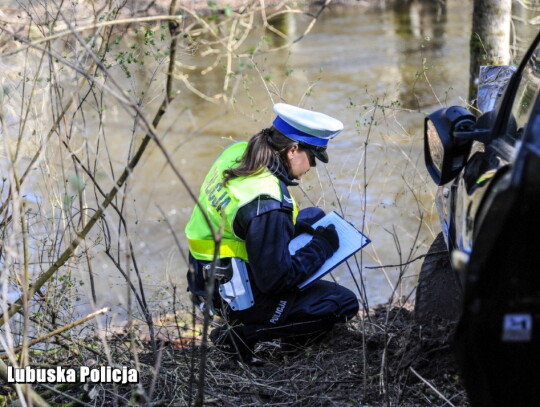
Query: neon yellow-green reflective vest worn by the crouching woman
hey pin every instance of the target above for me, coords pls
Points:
(222, 203)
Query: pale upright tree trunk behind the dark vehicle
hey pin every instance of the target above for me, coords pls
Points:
(490, 37)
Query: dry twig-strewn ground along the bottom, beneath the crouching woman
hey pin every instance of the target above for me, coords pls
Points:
(384, 359)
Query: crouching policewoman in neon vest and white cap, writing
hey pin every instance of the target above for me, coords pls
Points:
(246, 193)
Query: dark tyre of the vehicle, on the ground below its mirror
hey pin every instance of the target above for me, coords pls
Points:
(439, 292)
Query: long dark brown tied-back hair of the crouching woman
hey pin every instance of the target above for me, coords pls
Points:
(259, 152)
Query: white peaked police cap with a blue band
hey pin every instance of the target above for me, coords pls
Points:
(305, 126)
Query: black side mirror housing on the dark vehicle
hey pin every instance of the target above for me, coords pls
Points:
(445, 149)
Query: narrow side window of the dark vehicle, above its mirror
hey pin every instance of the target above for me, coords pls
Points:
(524, 99)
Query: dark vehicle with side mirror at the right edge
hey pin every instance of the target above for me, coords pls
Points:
(488, 172)
